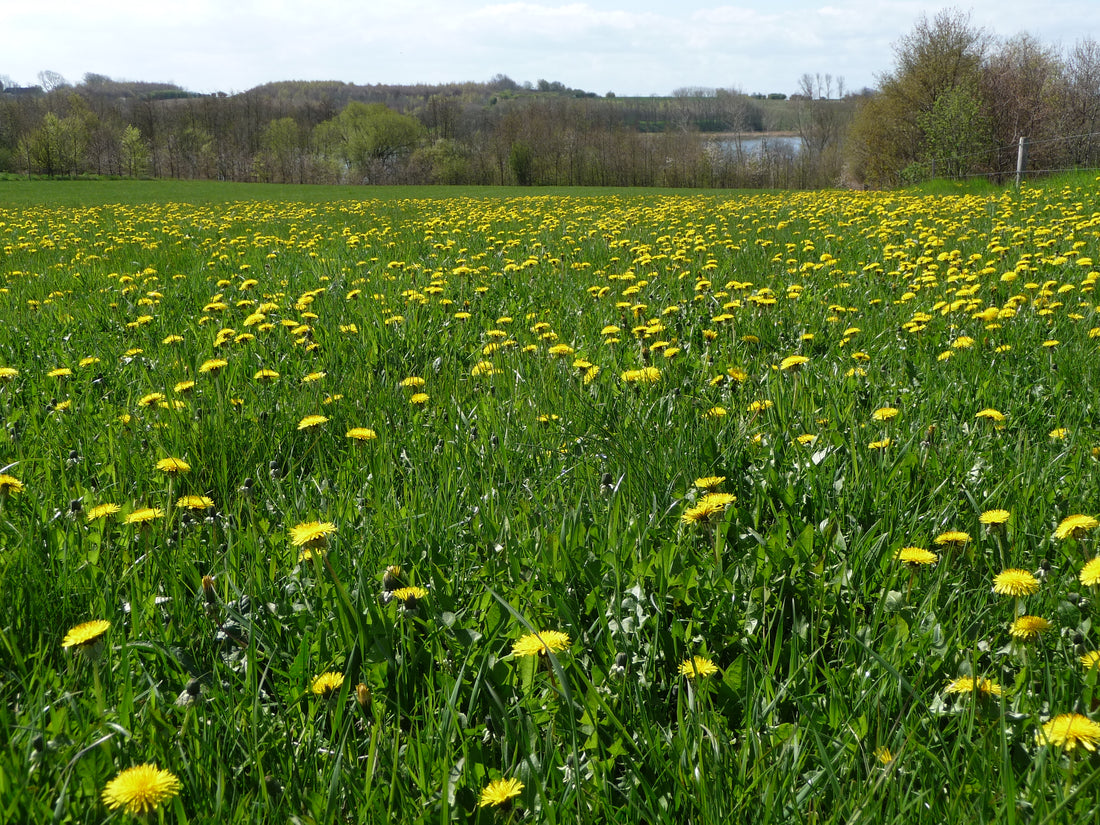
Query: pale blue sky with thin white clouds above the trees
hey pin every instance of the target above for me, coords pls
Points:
(626, 47)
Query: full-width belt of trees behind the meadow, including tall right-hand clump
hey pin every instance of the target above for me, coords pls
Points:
(956, 104)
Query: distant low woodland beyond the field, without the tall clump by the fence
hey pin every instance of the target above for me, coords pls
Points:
(499, 133)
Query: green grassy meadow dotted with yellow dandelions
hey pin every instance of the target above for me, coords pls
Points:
(619, 507)
